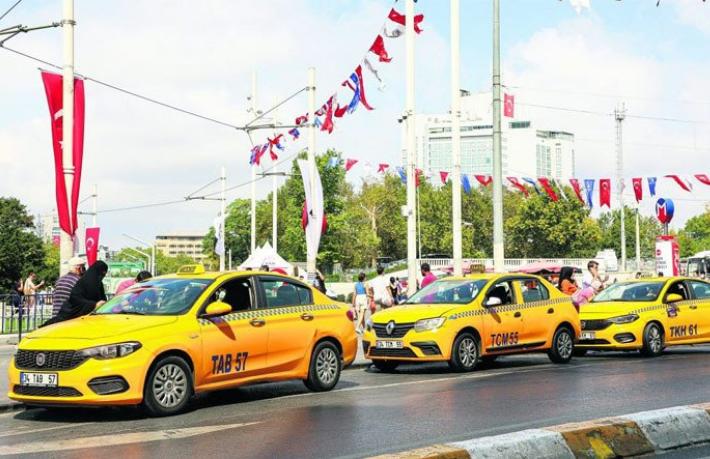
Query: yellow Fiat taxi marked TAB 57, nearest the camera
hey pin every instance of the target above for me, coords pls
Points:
(165, 339)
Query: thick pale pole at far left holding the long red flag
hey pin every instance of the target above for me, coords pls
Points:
(66, 242)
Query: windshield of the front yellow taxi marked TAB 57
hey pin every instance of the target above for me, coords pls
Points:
(157, 297)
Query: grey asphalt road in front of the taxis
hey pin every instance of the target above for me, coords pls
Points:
(372, 413)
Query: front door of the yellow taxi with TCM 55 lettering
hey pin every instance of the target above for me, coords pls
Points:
(502, 324)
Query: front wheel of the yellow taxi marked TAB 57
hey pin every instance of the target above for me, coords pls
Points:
(168, 387)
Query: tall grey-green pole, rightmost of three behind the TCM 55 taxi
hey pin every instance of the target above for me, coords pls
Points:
(498, 241)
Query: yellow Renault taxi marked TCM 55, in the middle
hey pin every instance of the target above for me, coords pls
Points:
(463, 320)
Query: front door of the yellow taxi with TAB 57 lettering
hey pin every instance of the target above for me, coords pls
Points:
(234, 345)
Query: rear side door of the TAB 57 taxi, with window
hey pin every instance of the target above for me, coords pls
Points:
(292, 321)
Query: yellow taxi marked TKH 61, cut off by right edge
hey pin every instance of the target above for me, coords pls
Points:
(647, 315)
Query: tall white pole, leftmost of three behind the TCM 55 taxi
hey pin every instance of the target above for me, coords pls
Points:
(411, 152)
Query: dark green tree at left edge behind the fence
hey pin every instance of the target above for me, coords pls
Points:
(20, 249)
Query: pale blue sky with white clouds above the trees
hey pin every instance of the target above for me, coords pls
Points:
(200, 56)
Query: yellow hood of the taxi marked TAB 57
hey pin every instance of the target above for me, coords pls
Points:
(98, 326)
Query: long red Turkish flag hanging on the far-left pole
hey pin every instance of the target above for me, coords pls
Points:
(66, 209)
